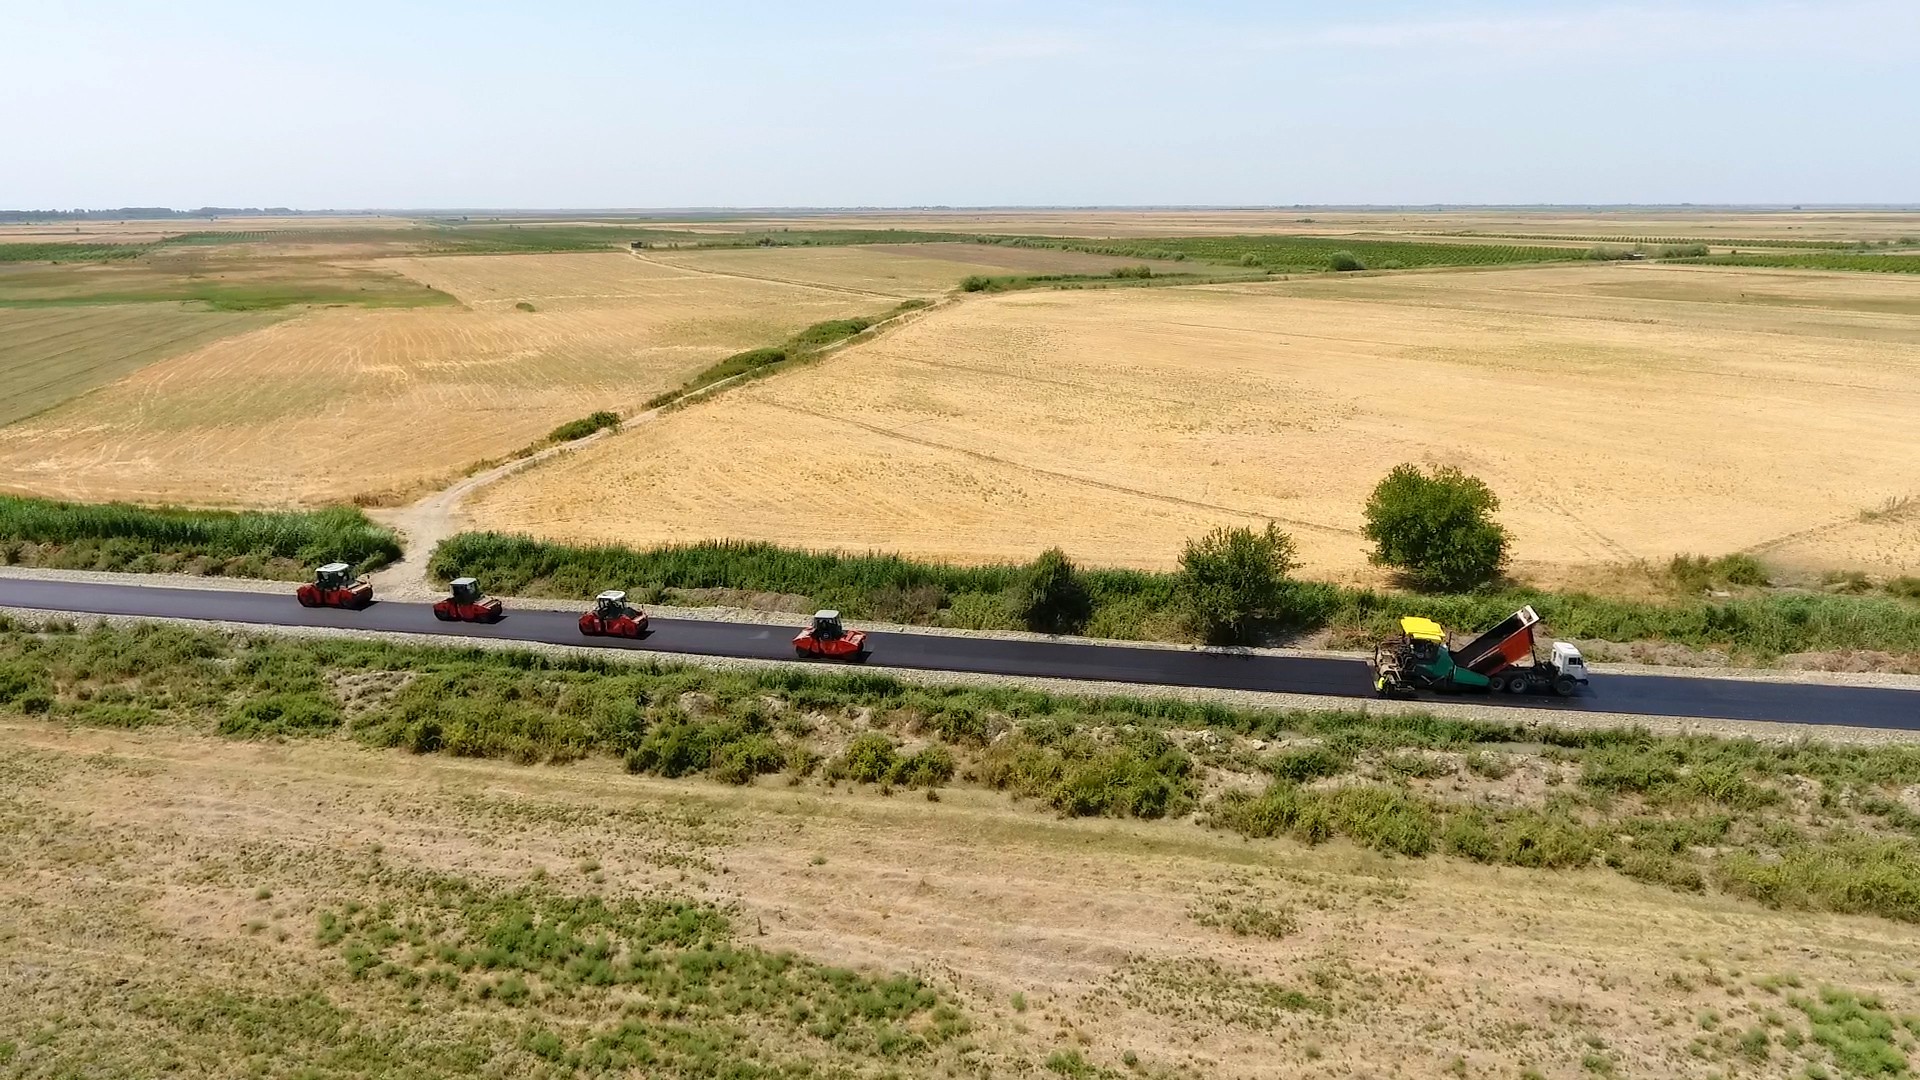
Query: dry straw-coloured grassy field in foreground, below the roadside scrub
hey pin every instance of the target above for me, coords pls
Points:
(197, 906)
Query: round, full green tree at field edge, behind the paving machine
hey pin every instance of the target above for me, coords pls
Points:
(1437, 528)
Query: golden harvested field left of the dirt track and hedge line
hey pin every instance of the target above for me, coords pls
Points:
(345, 403)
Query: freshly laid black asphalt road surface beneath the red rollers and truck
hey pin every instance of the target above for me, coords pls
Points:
(1643, 695)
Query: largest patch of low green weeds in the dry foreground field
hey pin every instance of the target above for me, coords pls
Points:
(677, 960)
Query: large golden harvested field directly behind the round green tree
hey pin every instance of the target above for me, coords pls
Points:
(1623, 412)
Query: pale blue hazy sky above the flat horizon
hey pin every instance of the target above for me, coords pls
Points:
(982, 103)
